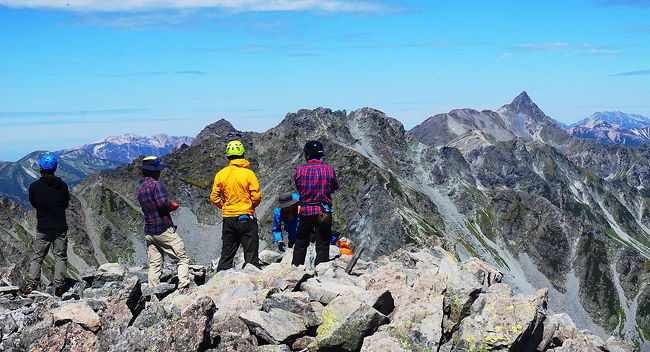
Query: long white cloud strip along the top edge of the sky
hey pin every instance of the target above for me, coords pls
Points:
(359, 6)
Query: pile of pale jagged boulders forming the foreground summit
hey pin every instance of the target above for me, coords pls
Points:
(412, 300)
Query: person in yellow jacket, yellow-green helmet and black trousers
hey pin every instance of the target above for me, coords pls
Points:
(237, 192)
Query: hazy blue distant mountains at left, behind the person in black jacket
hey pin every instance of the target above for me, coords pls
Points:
(79, 162)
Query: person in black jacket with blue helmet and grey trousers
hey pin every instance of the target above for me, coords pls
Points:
(50, 197)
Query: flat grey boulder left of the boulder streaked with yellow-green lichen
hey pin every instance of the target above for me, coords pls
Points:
(275, 326)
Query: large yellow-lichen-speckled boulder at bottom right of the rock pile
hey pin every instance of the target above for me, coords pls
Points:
(498, 320)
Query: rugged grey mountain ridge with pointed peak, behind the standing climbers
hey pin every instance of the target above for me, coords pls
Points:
(547, 209)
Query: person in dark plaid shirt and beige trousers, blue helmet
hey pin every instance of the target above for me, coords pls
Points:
(159, 231)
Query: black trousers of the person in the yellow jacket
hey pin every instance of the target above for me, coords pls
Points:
(235, 232)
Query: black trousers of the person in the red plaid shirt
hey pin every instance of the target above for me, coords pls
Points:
(323, 233)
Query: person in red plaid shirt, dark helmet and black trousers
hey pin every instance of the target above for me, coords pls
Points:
(315, 182)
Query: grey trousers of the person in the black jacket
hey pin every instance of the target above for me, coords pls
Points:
(40, 247)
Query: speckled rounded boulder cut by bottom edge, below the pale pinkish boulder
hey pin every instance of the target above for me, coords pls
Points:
(69, 337)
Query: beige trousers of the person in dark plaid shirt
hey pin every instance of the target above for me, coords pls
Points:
(167, 242)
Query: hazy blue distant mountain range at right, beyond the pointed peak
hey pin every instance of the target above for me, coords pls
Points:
(612, 127)
